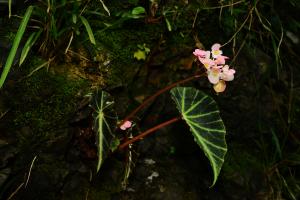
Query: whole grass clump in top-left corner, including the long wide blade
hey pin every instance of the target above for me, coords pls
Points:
(57, 23)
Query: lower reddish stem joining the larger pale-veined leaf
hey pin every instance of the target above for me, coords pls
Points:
(147, 132)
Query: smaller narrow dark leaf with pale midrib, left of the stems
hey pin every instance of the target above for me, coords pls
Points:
(104, 124)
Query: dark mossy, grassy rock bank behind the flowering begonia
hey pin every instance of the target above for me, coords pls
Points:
(47, 144)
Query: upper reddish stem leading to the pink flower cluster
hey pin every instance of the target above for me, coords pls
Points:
(161, 91)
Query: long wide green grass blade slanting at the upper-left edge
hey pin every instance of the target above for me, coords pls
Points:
(15, 45)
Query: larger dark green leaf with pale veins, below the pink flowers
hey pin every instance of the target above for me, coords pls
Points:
(202, 115)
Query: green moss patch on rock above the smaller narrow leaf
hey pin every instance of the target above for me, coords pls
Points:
(122, 43)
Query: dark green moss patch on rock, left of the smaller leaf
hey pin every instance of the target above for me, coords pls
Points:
(44, 103)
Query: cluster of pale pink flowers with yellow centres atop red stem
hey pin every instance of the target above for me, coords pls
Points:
(214, 62)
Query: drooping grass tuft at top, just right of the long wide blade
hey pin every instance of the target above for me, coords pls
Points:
(58, 25)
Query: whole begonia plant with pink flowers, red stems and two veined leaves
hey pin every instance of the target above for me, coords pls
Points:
(199, 111)
